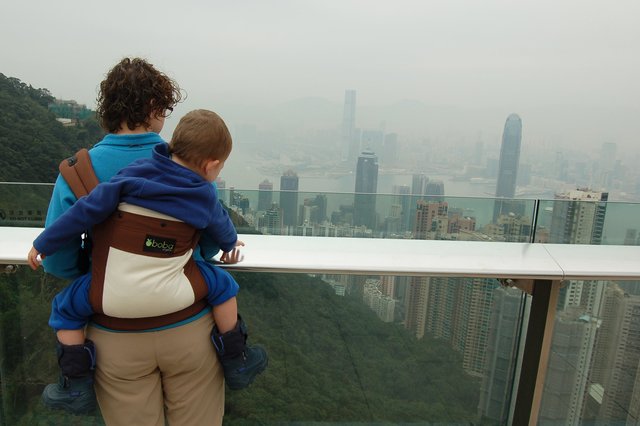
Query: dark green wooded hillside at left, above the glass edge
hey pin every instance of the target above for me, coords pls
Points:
(33, 140)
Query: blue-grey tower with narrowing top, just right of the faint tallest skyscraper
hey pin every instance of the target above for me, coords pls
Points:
(364, 205)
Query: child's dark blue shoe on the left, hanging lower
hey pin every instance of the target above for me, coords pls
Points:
(74, 391)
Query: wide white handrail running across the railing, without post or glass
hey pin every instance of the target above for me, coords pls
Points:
(271, 253)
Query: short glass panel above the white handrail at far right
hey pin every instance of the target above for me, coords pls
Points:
(588, 222)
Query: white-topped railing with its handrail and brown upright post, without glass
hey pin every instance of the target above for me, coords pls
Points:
(538, 269)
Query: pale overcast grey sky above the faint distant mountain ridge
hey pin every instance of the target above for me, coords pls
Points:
(542, 59)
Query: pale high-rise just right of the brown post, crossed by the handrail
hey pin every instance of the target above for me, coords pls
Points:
(576, 388)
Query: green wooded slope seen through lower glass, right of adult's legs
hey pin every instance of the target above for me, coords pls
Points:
(333, 360)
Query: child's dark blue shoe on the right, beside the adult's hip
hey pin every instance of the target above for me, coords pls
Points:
(241, 363)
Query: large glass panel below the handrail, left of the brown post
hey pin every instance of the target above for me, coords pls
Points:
(343, 349)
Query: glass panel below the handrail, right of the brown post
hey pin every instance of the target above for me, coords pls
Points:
(593, 375)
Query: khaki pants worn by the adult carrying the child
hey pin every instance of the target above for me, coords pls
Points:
(141, 377)
